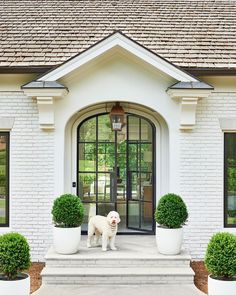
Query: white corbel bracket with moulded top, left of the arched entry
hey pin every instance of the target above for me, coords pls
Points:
(45, 101)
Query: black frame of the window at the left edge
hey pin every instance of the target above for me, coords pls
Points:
(7, 206)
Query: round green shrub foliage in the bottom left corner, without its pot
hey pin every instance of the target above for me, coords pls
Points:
(14, 255)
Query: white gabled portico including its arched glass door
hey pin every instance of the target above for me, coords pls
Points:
(152, 92)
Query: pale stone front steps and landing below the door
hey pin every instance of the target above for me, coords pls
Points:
(137, 262)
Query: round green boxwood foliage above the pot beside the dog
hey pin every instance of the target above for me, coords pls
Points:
(68, 211)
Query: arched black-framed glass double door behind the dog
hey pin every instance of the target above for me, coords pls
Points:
(116, 170)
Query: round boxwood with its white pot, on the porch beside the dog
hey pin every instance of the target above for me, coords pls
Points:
(68, 214)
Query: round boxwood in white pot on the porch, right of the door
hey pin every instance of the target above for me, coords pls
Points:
(171, 214)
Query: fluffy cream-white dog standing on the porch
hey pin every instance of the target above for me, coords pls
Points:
(105, 226)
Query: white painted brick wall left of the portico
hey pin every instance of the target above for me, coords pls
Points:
(32, 164)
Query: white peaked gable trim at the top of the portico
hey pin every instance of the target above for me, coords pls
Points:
(119, 40)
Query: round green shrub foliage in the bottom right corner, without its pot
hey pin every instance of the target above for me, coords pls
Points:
(220, 258)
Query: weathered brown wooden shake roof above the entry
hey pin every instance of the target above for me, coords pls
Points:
(188, 33)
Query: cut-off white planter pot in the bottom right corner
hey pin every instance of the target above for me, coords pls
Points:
(219, 287)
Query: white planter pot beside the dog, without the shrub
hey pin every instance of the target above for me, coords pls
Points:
(66, 240)
